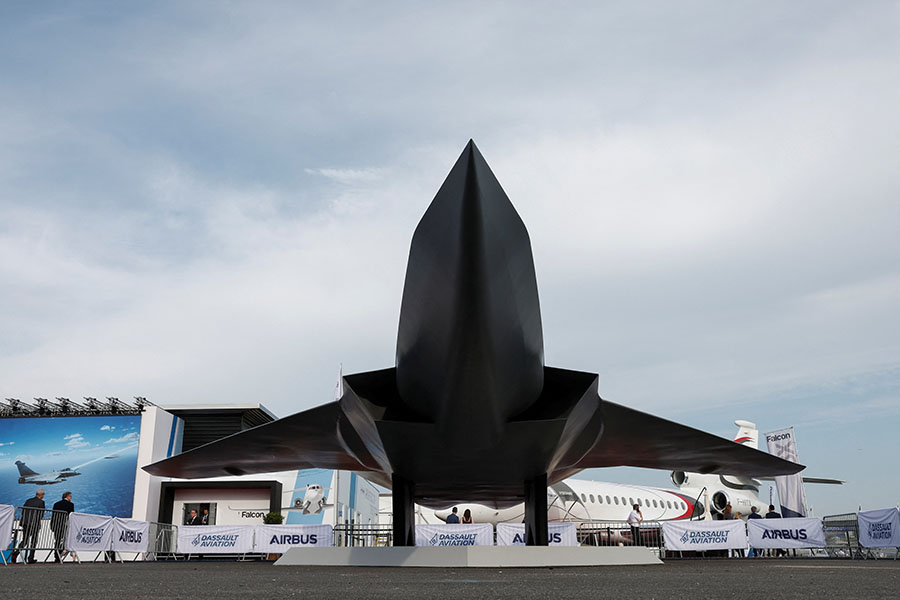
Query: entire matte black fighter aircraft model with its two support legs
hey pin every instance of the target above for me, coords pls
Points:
(470, 413)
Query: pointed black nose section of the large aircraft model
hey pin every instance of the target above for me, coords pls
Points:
(470, 342)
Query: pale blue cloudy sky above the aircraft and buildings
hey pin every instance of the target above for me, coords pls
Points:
(213, 202)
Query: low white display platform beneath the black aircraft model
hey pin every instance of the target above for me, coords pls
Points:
(471, 556)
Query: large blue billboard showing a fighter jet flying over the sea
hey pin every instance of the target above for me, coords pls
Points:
(95, 458)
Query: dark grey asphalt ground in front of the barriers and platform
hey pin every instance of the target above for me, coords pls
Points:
(691, 580)
